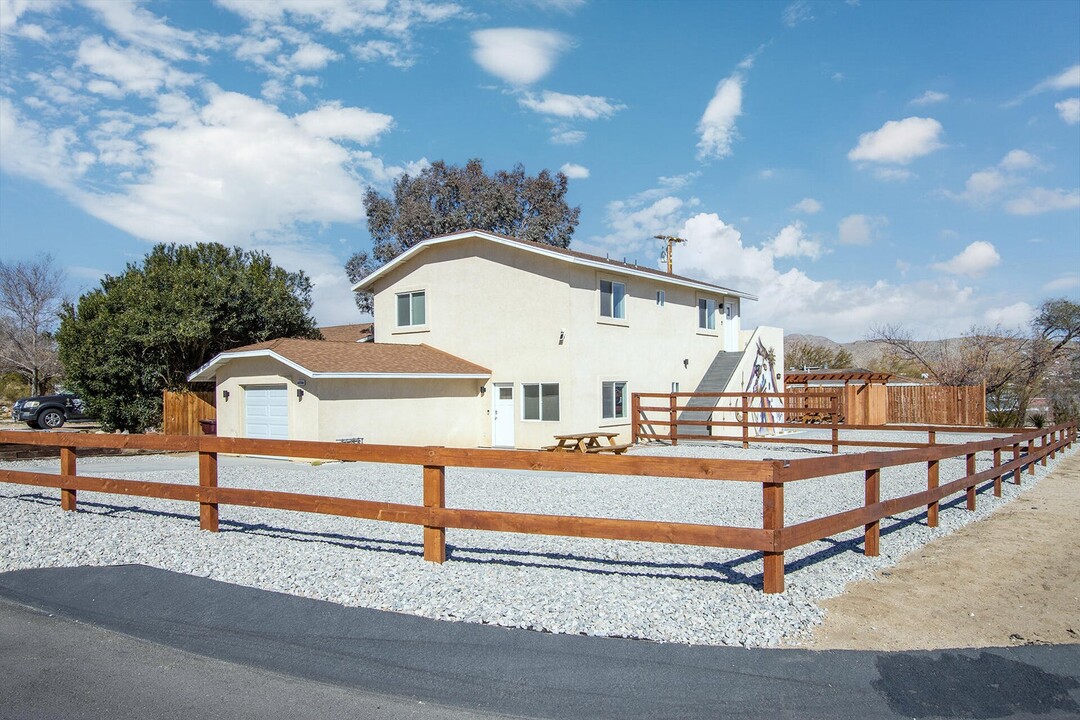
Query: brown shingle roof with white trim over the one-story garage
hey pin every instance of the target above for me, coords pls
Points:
(320, 357)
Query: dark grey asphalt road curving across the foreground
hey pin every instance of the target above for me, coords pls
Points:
(139, 643)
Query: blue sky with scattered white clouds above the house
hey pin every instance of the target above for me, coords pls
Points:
(853, 164)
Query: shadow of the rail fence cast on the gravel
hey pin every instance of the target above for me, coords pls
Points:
(727, 573)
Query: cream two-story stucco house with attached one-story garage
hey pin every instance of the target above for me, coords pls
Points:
(489, 342)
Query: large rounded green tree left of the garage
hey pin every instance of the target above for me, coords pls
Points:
(146, 330)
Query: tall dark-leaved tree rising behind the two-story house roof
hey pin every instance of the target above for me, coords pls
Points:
(445, 199)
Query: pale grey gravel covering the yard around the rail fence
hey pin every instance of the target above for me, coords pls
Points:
(657, 592)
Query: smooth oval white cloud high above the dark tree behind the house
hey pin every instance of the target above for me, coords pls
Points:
(518, 56)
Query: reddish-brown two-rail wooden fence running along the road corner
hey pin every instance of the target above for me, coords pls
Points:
(773, 539)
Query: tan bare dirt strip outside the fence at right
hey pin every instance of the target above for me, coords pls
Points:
(1011, 579)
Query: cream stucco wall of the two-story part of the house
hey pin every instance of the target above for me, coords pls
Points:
(506, 309)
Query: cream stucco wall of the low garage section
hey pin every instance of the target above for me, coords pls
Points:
(445, 413)
